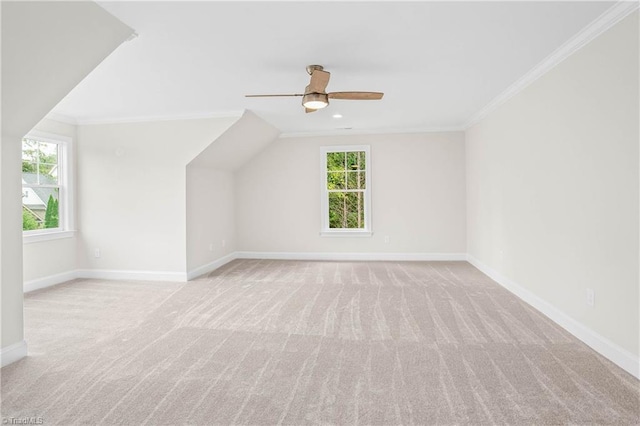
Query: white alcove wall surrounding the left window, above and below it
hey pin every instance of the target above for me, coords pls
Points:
(43, 259)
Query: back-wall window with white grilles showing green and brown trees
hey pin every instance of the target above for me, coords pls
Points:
(346, 189)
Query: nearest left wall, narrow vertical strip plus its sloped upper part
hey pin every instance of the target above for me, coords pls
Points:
(47, 48)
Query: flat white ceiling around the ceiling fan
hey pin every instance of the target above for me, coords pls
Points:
(437, 62)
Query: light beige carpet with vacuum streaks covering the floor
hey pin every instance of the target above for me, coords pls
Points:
(287, 342)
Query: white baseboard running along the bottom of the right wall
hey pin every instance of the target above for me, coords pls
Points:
(605, 347)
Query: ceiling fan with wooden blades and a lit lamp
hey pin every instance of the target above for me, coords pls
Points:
(315, 96)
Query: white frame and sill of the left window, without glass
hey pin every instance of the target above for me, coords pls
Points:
(65, 185)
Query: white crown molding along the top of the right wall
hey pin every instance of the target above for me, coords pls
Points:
(608, 19)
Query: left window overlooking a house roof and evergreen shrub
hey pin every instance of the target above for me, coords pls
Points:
(45, 185)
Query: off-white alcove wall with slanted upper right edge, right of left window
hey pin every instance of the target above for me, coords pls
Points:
(132, 192)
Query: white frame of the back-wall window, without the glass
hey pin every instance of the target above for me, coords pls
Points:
(325, 230)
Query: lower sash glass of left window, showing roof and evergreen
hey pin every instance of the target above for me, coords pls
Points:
(40, 208)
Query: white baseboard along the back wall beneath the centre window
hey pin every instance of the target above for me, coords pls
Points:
(351, 256)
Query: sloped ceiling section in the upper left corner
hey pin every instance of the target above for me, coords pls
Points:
(44, 56)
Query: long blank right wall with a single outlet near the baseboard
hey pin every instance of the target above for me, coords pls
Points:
(552, 185)
